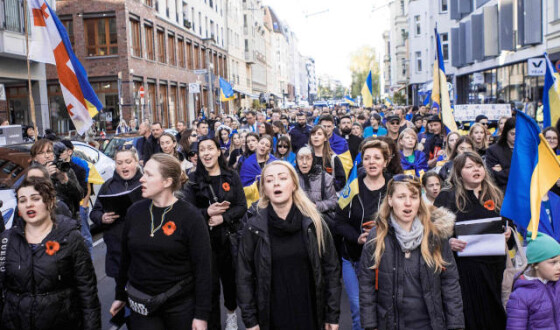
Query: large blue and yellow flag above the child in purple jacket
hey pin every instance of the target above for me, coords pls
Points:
(535, 168)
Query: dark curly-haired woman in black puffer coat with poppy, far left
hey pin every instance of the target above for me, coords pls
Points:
(47, 276)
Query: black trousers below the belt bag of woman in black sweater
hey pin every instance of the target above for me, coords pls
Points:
(176, 314)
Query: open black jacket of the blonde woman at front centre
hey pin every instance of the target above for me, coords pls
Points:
(254, 272)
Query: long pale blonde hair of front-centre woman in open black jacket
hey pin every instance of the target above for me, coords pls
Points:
(300, 199)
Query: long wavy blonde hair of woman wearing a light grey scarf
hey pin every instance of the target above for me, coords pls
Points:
(432, 257)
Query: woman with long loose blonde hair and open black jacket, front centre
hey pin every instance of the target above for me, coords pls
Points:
(288, 275)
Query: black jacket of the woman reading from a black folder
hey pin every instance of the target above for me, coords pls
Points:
(112, 234)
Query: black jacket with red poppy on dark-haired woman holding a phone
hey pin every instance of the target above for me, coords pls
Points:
(197, 191)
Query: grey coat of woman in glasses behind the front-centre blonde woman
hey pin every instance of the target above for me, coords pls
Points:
(325, 202)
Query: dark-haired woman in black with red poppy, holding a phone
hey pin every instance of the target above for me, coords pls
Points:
(218, 194)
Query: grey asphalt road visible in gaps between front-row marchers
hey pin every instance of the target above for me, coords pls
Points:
(106, 291)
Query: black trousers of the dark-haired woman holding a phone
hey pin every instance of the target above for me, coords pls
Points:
(222, 271)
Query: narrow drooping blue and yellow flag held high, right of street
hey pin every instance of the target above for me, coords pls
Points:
(440, 92)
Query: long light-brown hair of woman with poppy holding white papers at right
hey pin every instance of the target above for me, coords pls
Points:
(489, 189)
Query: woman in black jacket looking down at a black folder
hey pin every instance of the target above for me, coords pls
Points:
(126, 178)
